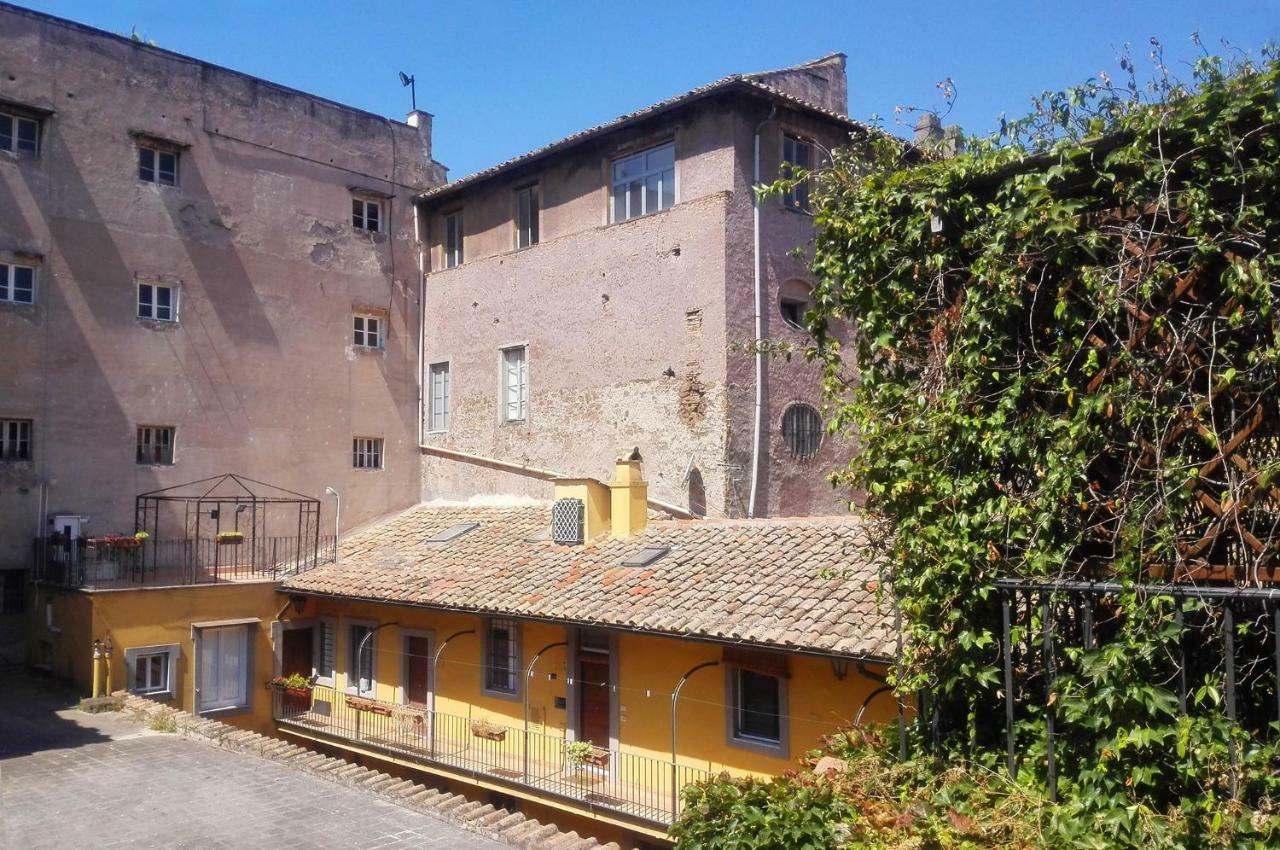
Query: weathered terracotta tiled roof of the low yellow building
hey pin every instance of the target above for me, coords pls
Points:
(804, 584)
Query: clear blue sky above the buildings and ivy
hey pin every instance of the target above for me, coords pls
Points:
(502, 77)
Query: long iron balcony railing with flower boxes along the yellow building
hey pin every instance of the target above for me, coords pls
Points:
(627, 784)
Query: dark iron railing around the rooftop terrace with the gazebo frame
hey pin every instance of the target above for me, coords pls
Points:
(130, 563)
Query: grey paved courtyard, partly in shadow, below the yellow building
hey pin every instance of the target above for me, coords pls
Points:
(70, 780)
